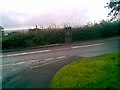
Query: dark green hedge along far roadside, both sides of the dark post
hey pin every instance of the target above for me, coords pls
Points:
(57, 35)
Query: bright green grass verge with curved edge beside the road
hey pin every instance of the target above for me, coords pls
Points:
(96, 72)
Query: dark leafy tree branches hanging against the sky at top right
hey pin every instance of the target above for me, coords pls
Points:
(114, 5)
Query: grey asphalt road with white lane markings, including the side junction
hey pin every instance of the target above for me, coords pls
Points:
(35, 68)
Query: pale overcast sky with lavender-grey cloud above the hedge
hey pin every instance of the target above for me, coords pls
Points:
(28, 13)
